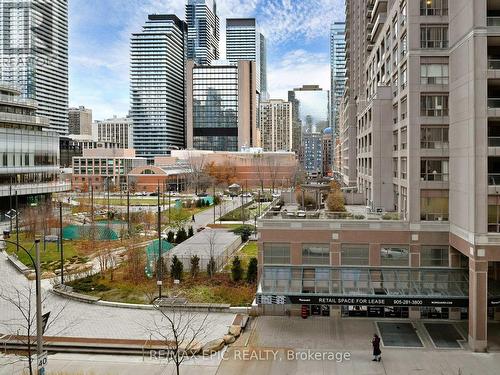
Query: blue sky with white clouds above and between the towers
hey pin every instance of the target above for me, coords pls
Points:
(297, 33)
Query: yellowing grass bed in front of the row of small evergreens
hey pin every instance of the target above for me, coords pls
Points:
(202, 289)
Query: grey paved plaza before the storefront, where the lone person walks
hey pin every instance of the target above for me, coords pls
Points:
(317, 344)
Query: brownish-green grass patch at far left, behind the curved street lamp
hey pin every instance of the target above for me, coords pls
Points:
(51, 253)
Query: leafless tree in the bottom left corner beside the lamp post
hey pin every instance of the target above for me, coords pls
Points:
(21, 321)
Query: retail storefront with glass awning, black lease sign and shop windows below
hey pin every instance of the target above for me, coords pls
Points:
(428, 293)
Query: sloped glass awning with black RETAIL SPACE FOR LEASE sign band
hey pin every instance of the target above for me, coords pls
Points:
(367, 286)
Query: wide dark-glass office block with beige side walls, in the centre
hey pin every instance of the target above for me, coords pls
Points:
(221, 106)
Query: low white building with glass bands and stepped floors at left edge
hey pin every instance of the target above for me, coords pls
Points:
(29, 156)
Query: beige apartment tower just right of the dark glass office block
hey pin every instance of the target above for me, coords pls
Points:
(276, 125)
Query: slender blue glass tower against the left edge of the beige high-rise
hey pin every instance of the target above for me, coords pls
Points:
(337, 70)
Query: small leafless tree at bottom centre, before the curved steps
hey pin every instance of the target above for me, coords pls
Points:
(181, 330)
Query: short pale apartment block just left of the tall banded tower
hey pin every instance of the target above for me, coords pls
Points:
(115, 130)
